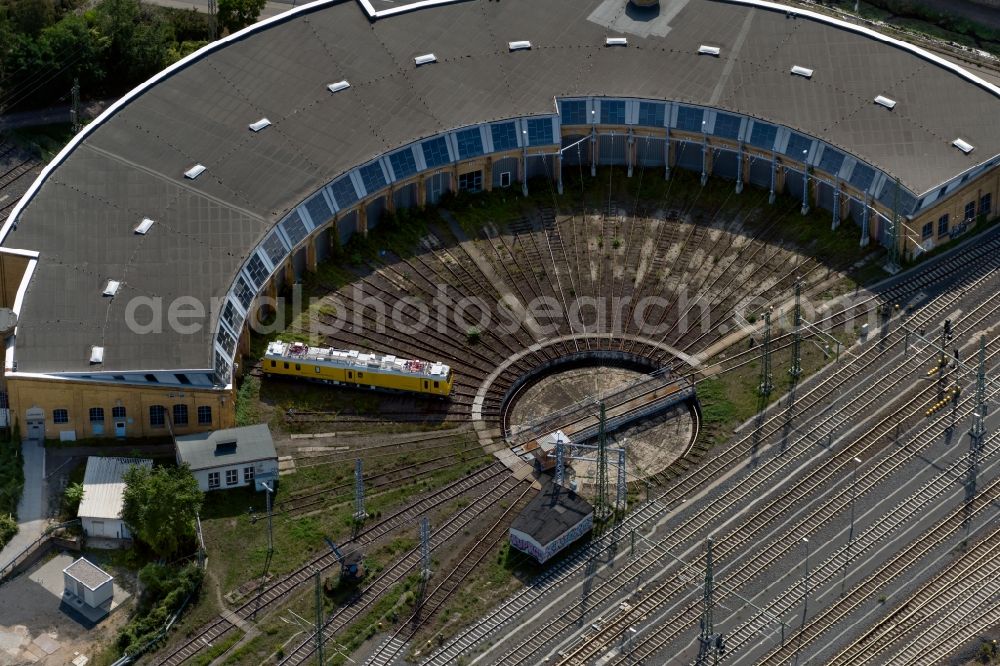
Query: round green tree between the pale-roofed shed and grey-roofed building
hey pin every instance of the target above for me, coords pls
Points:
(159, 506)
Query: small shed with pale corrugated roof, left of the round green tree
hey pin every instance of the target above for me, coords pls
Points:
(103, 487)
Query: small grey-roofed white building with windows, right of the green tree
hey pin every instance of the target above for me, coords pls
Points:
(230, 458)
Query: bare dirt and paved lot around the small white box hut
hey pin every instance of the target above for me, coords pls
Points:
(36, 629)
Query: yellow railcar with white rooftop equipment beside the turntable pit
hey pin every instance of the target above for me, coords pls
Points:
(350, 367)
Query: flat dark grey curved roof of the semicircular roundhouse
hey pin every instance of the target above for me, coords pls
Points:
(130, 165)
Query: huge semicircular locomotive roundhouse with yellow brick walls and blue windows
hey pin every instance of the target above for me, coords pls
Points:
(134, 261)
